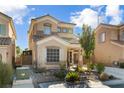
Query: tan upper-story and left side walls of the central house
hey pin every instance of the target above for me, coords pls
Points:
(39, 26)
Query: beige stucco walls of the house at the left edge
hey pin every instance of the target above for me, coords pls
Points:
(7, 49)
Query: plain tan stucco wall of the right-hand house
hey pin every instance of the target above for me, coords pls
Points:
(107, 52)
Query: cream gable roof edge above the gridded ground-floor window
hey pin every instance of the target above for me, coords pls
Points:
(52, 38)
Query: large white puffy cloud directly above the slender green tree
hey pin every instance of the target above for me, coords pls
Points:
(86, 16)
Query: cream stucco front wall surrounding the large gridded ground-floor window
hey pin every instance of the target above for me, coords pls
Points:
(41, 54)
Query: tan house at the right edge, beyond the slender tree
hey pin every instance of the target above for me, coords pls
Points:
(109, 45)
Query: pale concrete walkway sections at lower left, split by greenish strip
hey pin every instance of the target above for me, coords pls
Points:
(27, 83)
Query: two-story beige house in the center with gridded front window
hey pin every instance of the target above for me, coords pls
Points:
(52, 42)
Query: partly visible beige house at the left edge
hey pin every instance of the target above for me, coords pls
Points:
(7, 39)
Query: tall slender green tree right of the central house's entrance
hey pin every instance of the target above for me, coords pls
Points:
(87, 41)
